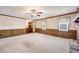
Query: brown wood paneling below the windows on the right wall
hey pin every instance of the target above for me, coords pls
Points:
(70, 34)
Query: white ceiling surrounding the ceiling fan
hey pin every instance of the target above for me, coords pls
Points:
(21, 11)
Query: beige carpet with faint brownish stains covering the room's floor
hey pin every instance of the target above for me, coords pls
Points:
(34, 42)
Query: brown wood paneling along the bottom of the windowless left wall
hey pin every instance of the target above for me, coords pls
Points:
(12, 32)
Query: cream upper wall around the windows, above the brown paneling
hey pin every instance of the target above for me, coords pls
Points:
(52, 23)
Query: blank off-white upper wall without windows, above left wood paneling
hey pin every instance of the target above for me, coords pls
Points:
(11, 23)
